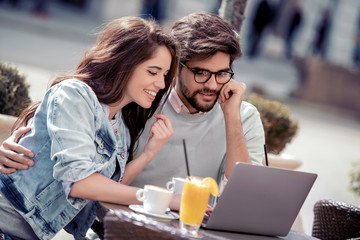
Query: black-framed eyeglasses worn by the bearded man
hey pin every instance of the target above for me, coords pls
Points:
(202, 76)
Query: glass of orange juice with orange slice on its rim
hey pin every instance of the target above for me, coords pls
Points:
(194, 201)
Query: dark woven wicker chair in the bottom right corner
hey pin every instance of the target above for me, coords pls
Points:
(335, 220)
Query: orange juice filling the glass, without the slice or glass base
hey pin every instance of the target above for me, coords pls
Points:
(194, 201)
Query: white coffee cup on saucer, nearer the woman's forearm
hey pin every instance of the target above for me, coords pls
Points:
(155, 199)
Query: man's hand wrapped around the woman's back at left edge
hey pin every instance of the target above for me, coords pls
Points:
(10, 160)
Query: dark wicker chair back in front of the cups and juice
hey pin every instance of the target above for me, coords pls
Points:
(121, 224)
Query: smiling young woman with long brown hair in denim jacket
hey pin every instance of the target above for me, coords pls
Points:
(83, 133)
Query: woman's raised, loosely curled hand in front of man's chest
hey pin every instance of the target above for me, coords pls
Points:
(160, 133)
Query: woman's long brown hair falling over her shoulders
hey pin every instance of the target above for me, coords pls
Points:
(122, 45)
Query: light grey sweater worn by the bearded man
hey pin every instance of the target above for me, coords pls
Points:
(205, 142)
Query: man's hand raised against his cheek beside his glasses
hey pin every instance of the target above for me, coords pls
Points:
(231, 96)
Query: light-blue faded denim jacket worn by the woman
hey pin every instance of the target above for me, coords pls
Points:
(71, 138)
